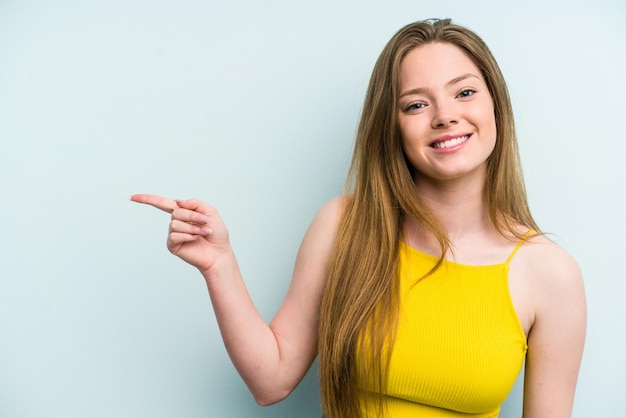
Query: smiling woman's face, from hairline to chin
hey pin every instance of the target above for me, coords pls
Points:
(446, 113)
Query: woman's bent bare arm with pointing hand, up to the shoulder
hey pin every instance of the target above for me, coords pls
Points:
(271, 359)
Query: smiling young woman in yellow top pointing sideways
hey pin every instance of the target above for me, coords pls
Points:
(428, 284)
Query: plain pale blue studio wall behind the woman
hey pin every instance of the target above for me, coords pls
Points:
(253, 106)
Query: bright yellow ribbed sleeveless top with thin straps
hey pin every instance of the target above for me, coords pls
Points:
(459, 346)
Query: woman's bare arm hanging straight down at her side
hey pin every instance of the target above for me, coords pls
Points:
(557, 336)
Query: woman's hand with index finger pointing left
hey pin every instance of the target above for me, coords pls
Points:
(196, 232)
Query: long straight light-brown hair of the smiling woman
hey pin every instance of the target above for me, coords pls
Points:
(359, 306)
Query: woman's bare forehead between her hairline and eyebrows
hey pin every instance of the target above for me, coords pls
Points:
(436, 63)
